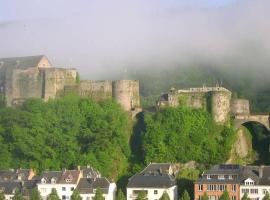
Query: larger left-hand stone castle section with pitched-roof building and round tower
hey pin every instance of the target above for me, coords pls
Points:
(34, 76)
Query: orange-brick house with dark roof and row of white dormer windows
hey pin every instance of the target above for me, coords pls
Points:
(216, 180)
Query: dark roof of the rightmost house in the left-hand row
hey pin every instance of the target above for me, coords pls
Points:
(86, 185)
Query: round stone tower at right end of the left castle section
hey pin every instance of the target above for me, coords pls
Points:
(126, 93)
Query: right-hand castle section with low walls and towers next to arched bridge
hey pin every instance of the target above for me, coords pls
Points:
(216, 100)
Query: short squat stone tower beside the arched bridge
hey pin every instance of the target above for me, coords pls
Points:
(240, 107)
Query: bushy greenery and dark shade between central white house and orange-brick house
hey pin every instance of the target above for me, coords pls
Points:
(185, 180)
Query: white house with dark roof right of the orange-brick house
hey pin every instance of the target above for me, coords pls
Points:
(255, 182)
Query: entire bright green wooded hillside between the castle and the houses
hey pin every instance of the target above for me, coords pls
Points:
(71, 131)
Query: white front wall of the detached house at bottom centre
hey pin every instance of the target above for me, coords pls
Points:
(152, 193)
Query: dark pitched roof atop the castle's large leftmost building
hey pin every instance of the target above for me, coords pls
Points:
(20, 62)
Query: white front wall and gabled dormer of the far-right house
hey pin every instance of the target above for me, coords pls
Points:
(254, 192)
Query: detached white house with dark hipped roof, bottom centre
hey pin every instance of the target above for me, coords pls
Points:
(154, 180)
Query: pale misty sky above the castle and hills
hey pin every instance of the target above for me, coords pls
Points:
(103, 37)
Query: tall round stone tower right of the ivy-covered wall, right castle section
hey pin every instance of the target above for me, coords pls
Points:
(220, 105)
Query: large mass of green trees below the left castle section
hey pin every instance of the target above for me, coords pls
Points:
(63, 133)
